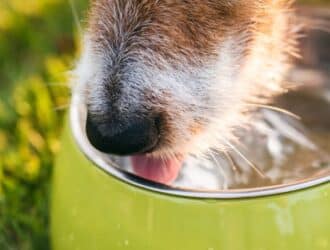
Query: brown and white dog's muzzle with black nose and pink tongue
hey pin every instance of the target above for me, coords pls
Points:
(164, 80)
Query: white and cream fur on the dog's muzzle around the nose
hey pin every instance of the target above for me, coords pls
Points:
(219, 93)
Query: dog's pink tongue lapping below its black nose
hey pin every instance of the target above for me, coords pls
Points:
(156, 169)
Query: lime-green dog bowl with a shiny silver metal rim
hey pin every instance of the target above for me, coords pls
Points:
(96, 206)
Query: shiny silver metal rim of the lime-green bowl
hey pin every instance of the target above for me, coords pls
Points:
(76, 110)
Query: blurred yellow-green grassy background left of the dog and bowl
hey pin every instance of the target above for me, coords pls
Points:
(39, 40)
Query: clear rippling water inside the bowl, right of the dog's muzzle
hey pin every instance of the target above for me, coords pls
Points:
(278, 148)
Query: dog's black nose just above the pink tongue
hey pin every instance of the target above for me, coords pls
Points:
(138, 136)
